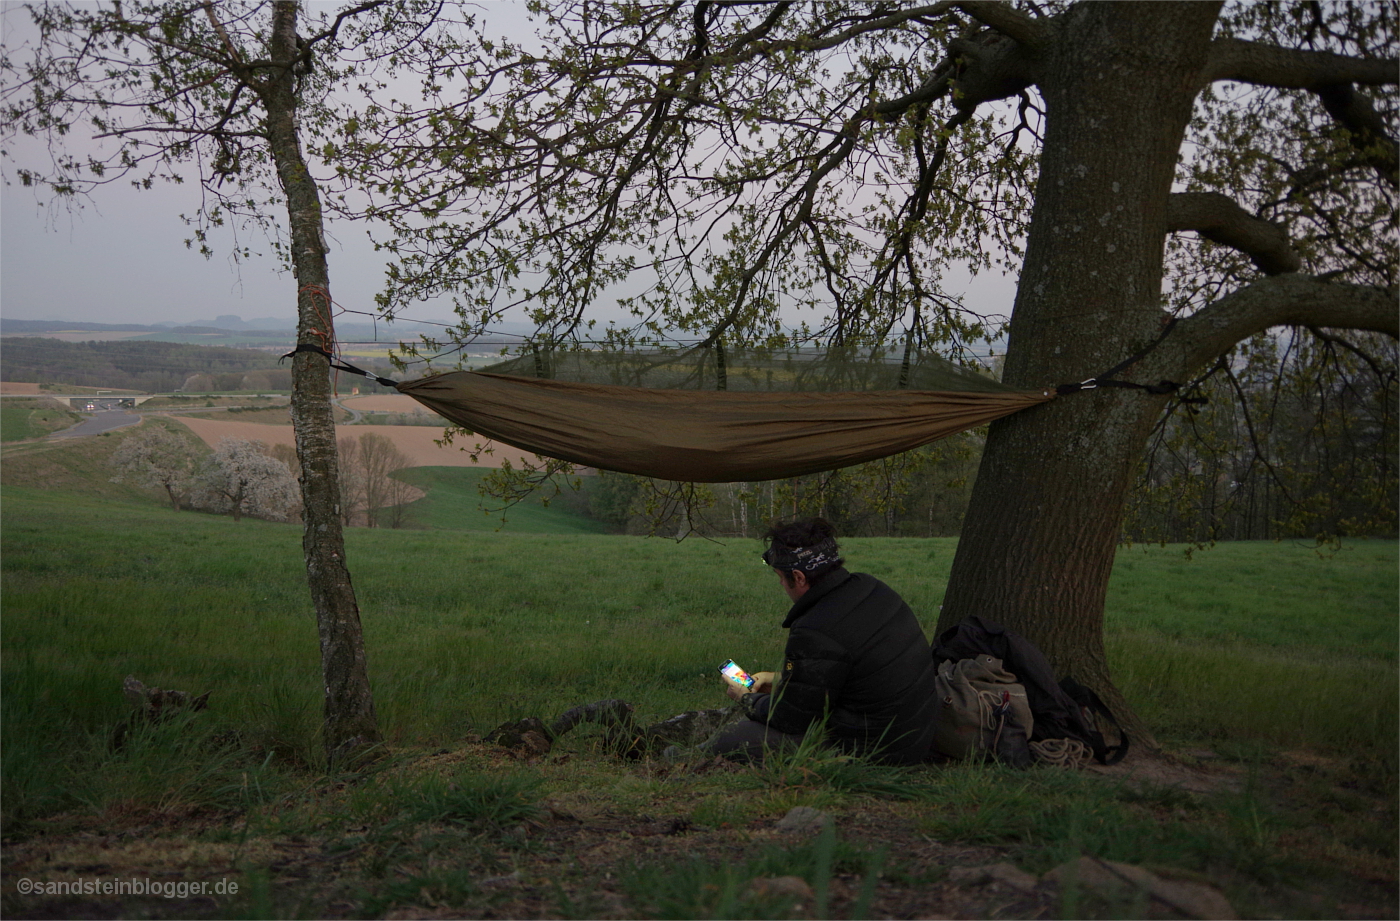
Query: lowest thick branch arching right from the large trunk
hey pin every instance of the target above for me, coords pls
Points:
(1287, 300)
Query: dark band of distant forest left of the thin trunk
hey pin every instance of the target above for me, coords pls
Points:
(155, 367)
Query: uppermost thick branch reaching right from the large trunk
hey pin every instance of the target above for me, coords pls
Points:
(1265, 65)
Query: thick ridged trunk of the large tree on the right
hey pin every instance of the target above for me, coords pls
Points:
(1046, 510)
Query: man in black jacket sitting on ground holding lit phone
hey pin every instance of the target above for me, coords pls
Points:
(856, 661)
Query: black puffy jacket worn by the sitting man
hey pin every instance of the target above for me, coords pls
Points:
(856, 654)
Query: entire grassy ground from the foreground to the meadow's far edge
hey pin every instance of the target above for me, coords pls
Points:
(1269, 670)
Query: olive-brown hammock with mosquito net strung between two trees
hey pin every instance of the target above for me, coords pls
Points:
(710, 416)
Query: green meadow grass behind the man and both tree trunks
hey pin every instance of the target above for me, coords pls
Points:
(493, 626)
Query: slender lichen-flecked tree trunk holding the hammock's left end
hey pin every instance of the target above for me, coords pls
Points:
(349, 719)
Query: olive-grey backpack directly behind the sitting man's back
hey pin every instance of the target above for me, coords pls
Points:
(982, 713)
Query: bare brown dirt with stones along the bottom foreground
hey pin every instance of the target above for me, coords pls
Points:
(572, 862)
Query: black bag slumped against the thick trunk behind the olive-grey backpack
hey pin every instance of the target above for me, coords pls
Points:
(1062, 710)
